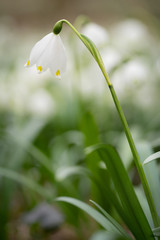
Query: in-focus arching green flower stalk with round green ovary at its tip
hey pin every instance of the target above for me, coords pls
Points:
(95, 53)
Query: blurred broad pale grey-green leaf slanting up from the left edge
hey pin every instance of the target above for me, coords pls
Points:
(17, 137)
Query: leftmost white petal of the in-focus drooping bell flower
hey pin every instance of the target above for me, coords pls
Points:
(39, 48)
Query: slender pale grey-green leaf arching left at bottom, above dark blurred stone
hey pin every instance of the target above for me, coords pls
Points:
(104, 222)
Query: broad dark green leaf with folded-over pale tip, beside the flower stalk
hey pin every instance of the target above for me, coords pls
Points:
(137, 221)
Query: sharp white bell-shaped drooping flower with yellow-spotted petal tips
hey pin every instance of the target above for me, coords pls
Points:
(48, 53)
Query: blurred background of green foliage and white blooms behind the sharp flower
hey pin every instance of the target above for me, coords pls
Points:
(46, 123)
